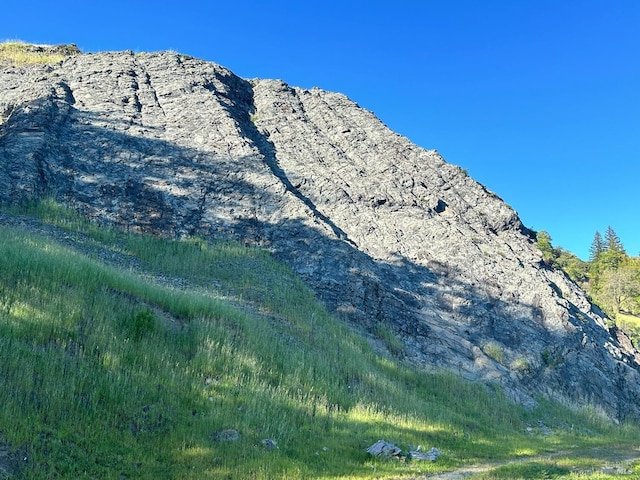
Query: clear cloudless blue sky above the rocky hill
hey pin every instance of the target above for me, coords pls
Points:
(538, 100)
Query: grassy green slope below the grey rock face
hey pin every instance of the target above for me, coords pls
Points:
(107, 372)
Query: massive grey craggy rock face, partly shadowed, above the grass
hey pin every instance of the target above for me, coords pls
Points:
(384, 231)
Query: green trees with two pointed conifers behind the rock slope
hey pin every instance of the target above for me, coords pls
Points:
(610, 277)
